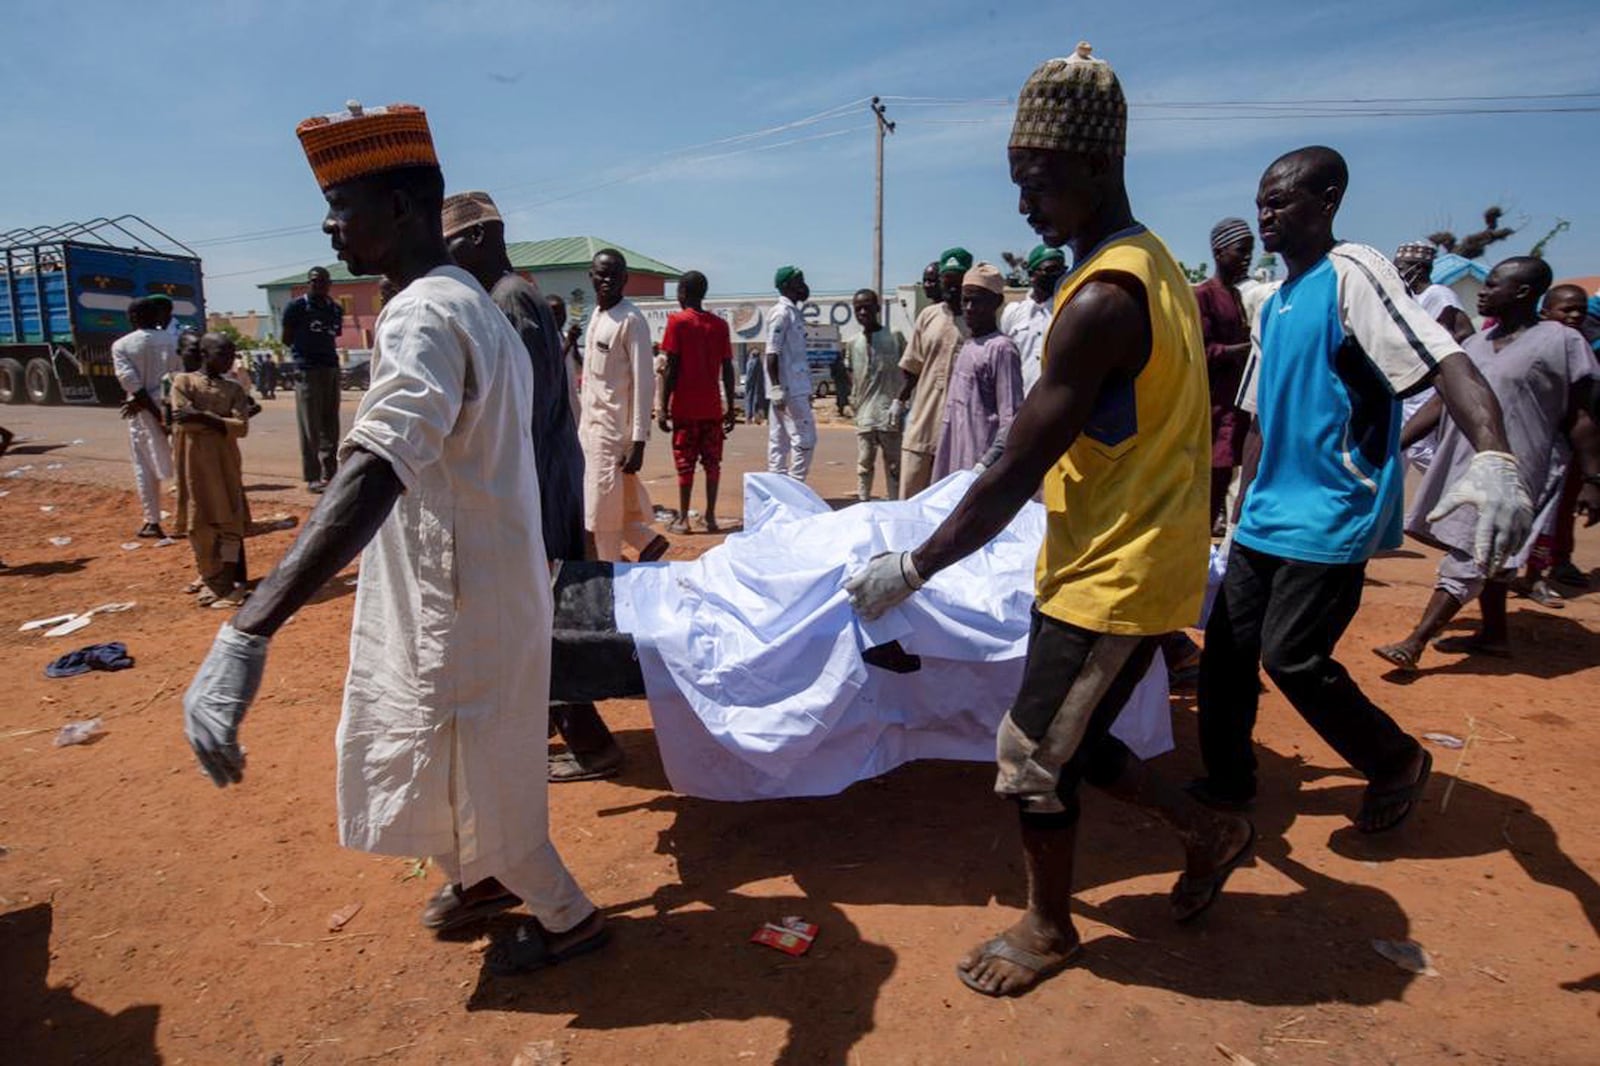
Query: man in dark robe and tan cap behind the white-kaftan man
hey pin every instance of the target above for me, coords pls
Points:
(476, 238)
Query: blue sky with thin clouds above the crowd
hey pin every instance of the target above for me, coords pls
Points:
(586, 119)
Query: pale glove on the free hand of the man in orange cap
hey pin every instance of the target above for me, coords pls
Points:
(218, 699)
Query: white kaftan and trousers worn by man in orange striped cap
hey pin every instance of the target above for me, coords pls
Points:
(439, 729)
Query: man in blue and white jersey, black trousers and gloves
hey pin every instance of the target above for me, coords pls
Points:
(1334, 353)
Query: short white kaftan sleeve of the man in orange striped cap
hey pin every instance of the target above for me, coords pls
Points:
(420, 375)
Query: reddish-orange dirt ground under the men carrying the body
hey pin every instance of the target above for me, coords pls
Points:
(146, 916)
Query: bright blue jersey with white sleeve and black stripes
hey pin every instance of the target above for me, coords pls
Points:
(1334, 351)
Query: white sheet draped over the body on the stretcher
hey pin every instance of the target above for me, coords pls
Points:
(753, 654)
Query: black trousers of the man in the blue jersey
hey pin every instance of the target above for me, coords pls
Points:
(1287, 617)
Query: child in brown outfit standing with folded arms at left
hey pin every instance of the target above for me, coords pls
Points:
(214, 414)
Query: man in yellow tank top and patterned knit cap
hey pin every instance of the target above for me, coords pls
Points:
(1118, 433)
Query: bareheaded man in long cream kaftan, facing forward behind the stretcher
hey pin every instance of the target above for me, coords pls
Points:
(614, 417)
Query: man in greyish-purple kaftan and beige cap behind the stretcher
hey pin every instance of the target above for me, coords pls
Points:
(986, 379)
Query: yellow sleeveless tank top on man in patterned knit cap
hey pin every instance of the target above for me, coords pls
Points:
(1127, 535)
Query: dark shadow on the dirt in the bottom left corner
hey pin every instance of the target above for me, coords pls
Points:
(44, 1025)
